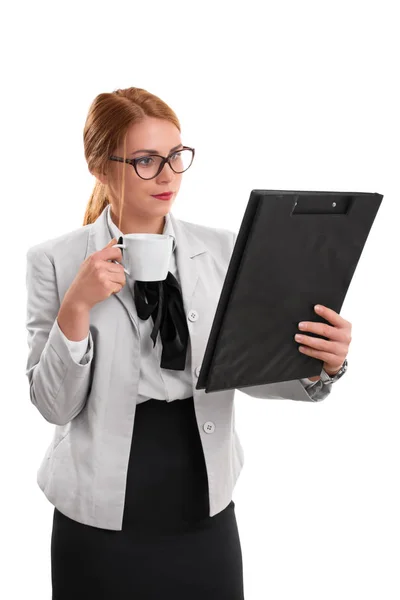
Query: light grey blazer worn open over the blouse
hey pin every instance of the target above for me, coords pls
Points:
(92, 404)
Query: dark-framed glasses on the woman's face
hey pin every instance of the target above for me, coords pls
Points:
(148, 167)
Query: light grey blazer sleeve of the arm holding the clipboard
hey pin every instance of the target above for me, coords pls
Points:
(296, 389)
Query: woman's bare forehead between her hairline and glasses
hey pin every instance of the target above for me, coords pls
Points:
(152, 133)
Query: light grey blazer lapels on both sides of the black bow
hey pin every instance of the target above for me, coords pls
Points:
(188, 248)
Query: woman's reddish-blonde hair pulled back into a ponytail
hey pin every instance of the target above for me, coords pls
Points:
(109, 118)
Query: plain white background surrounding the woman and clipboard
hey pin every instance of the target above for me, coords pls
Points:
(280, 95)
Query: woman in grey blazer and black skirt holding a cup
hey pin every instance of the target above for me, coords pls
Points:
(142, 465)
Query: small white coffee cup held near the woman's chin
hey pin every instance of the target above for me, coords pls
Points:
(146, 256)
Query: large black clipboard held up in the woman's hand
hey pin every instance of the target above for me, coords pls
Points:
(294, 249)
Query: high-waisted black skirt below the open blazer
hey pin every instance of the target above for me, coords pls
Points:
(169, 547)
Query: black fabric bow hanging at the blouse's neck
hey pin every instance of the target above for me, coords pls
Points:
(165, 305)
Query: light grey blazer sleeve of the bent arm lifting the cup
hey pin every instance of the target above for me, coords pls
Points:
(58, 384)
